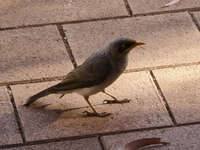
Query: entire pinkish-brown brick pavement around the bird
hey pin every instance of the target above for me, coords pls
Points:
(41, 41)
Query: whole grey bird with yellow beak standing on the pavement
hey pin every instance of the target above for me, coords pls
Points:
(99, 70)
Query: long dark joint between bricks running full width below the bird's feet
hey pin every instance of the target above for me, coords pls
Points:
(73, 138)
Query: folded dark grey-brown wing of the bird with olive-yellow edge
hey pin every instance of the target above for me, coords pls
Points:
(90, 73)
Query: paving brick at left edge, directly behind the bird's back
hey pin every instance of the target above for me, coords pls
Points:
(32, 53)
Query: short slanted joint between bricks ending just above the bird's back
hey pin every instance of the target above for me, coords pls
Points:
(67, 46)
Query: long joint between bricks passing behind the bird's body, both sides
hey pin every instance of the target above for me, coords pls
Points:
(46, 79)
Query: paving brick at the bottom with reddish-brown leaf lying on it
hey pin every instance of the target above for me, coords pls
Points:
(178, 137)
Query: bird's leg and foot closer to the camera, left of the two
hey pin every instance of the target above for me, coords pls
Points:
(94, 113)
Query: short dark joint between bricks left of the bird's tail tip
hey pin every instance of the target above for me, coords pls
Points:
(18, 120)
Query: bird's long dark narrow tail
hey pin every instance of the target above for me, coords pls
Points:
(37, 96)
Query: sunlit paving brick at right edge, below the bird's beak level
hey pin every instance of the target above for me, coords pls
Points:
(181, 89)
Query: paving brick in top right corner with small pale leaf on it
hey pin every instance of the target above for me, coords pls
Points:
(146, 6)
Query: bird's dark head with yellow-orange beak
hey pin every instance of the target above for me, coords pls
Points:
(122, 46)
